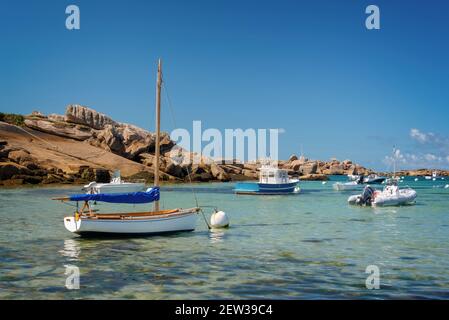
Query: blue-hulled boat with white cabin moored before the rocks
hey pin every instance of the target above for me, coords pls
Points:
(272, 180)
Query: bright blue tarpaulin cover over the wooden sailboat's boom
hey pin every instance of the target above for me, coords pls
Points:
(134, 197)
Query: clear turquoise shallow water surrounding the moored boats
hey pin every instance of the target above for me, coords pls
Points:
(307, 246)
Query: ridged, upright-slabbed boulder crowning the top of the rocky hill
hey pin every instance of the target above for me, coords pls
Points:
(83, 115)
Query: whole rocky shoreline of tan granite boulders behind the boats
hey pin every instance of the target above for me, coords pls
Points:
(85, 145)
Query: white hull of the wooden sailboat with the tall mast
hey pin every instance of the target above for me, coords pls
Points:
(183, 220)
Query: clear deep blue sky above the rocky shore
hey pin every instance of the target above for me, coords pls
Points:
(309, 67)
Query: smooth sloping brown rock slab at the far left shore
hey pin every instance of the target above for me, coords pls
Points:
(32, 157)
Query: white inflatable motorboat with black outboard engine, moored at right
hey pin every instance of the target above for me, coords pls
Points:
(391, 195)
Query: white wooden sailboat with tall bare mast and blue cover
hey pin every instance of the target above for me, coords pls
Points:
(88, 221)
